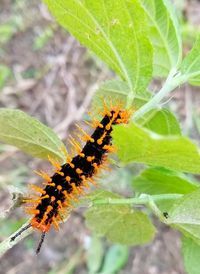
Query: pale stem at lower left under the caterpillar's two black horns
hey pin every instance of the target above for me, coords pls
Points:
(7, 244)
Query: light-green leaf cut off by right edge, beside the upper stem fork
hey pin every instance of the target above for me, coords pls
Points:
(190, 66)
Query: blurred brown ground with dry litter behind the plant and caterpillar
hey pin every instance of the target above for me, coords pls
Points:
(46, 73)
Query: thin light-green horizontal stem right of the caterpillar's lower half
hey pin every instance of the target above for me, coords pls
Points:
(142, 200)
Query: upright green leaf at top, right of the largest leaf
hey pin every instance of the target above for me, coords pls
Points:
(164, 34)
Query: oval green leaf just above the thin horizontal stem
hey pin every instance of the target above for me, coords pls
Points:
(160, 181)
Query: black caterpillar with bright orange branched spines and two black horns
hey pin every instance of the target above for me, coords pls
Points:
(71, 178)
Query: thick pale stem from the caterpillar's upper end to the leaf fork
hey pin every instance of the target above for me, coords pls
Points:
(173, 81)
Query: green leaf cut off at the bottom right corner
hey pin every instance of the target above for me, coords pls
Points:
(191, 254)
